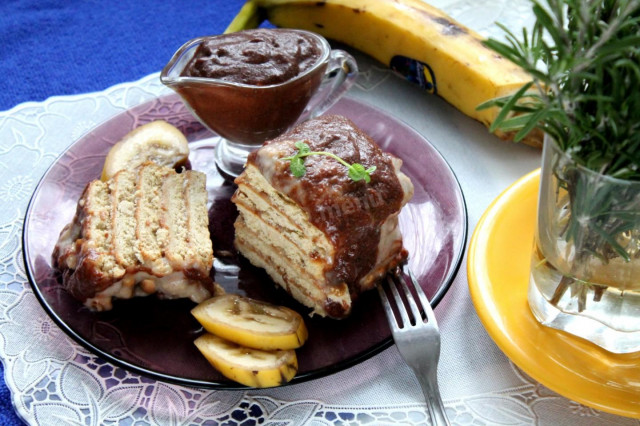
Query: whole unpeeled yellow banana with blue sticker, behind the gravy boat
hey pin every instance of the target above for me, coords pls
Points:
(411, 37)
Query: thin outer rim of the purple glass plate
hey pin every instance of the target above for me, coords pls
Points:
(230, 385)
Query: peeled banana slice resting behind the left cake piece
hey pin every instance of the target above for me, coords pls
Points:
(158, 141)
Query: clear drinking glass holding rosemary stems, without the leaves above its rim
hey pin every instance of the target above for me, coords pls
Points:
(585, 267)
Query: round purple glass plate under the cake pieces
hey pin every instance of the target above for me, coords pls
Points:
(155, 337)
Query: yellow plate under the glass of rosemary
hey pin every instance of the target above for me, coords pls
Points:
(498, 270)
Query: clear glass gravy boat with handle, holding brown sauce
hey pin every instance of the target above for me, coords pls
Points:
(243, 115)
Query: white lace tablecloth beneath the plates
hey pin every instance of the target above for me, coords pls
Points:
(56, 382)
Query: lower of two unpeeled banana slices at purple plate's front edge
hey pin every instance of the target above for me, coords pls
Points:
(250, 367)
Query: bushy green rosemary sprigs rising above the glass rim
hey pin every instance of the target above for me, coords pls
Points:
(584, 60)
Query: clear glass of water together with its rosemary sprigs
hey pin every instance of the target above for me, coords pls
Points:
(584, 60)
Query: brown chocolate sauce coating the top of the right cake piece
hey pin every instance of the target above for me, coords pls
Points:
(350, 213)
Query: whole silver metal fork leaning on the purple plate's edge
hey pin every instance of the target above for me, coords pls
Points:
(417, 337)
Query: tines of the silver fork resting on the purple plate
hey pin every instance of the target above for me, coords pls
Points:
(410, 294)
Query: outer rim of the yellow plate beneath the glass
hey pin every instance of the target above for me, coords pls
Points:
(477, 246)
